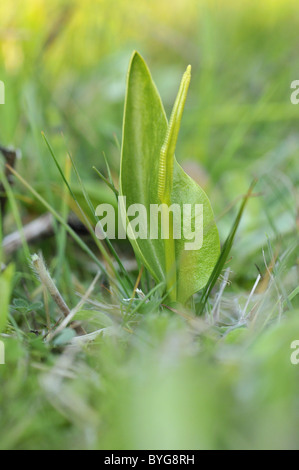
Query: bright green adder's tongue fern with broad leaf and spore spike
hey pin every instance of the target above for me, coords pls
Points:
(150, 176)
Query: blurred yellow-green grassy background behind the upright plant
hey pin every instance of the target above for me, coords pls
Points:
(64, 65)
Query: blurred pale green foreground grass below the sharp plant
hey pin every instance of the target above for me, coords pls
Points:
(183, 396)
